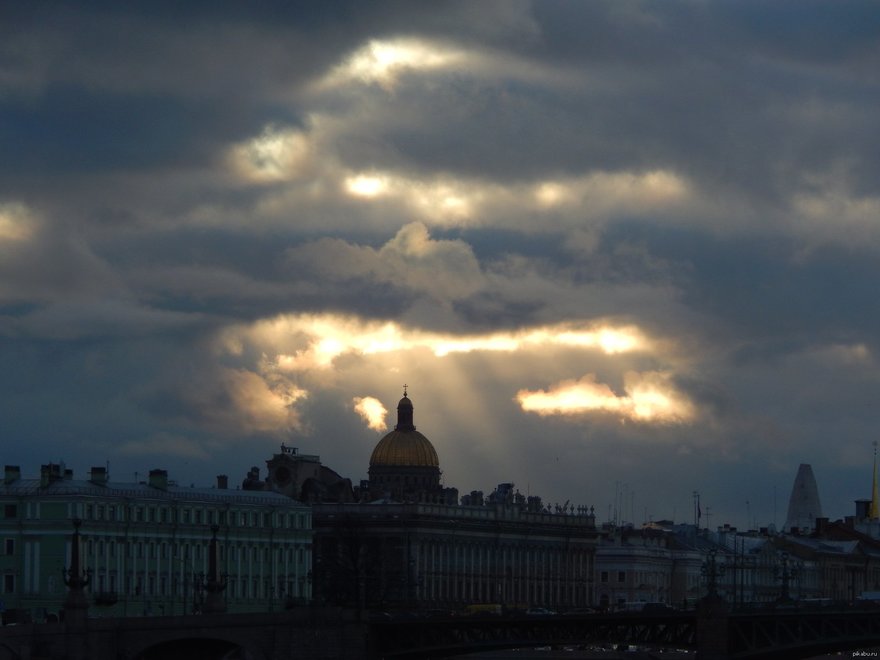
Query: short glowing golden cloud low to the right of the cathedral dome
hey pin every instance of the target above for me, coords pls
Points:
(649, 397)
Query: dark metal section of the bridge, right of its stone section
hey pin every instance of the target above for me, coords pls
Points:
(715, 635)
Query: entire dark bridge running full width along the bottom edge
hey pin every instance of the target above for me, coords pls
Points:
(313, 633)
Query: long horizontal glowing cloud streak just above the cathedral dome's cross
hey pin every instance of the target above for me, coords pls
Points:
(313, 341)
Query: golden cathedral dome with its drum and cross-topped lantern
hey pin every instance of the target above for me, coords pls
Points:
(404, 466)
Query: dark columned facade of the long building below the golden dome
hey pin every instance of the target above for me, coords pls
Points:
(423, 556)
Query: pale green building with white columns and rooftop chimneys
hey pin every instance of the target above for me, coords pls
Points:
(145, 546)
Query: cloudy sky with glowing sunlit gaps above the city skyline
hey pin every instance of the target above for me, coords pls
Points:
(618, 252)
